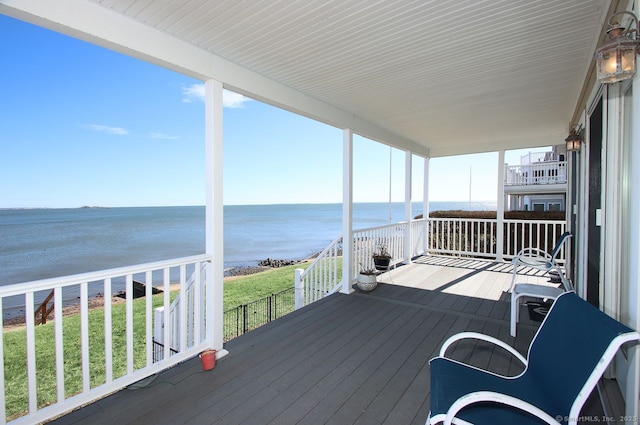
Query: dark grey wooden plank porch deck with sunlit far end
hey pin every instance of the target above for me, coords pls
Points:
(348, 359)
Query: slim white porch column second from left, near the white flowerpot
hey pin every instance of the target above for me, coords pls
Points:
(347, 211)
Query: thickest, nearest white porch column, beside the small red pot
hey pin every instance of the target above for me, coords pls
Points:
(214, 215)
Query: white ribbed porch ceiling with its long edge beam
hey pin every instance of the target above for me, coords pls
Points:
(428, 76)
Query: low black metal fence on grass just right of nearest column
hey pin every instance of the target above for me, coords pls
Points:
(246, 317)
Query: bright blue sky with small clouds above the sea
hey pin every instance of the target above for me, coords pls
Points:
(82, 125)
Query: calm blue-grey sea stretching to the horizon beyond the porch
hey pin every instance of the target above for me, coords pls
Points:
(43, 243)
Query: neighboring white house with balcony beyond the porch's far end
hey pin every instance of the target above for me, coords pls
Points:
(538, 183)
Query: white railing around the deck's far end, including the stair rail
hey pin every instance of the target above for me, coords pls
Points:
(475, 238)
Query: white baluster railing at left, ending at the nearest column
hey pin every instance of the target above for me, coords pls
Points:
(123, 353)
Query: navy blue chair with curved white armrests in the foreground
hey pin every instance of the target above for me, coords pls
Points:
(570, 352)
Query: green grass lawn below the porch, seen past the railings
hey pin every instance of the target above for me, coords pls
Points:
(239, 290)
